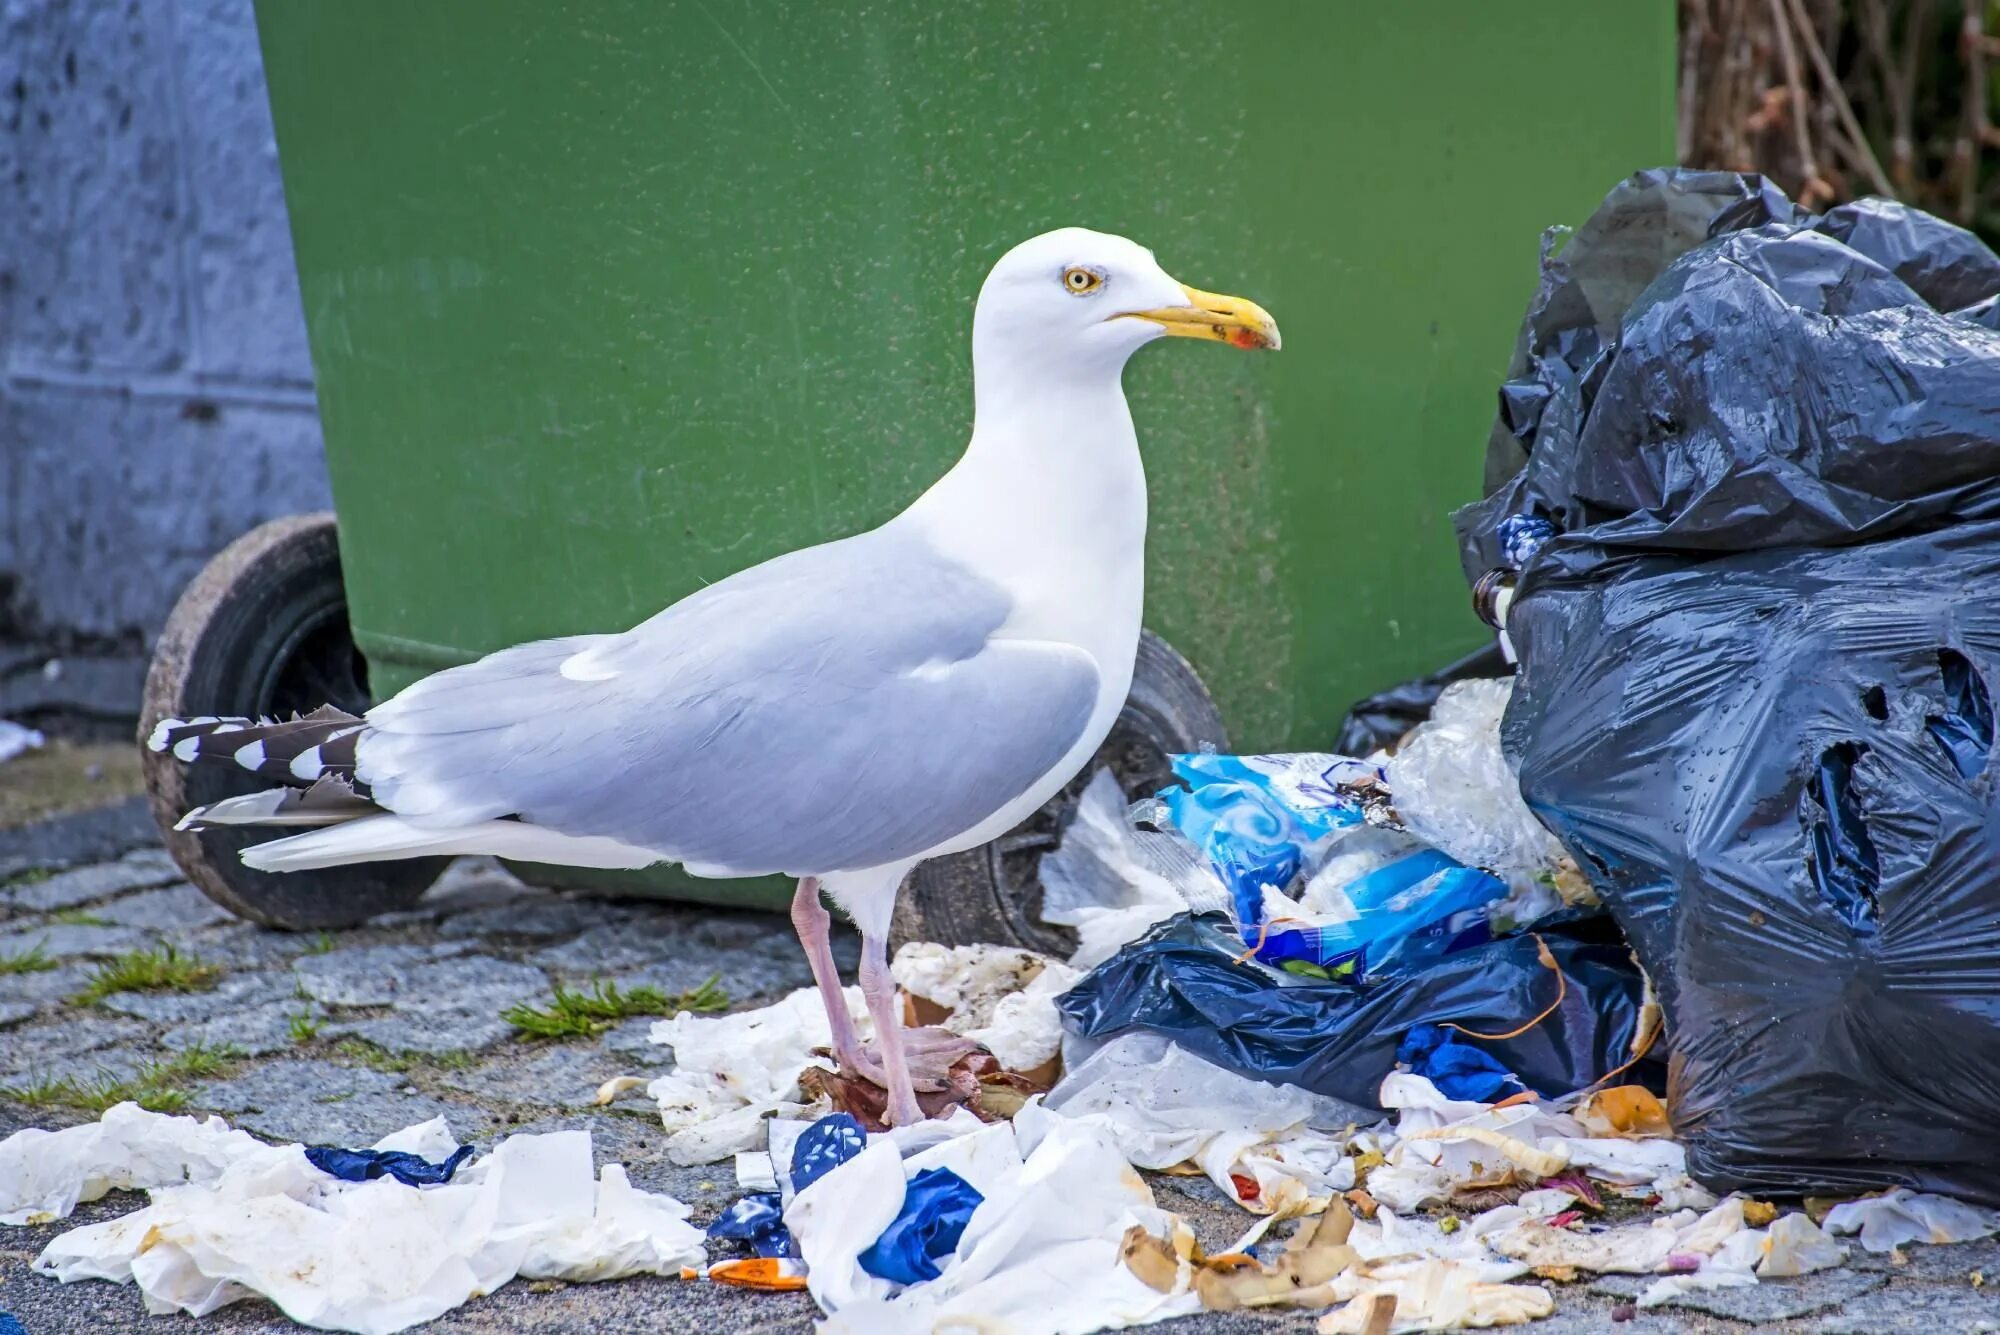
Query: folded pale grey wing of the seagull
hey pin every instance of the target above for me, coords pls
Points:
(839, 708)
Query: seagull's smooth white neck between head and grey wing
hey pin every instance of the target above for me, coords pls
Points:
(1049, 501)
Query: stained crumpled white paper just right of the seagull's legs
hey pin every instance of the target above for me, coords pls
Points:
(997, 996)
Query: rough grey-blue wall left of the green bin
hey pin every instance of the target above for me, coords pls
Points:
(155, 383)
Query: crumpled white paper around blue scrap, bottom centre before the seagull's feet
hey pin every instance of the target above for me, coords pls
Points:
(1041, 1256)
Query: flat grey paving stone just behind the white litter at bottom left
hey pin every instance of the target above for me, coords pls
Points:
(325, 1104)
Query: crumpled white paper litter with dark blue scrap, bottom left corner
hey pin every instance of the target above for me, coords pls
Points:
(367, 1242)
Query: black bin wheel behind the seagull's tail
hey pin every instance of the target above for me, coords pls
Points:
(265, 631)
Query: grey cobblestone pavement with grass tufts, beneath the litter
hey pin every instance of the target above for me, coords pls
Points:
(349, 1036)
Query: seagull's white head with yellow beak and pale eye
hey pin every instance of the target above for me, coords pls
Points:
(1087, 299)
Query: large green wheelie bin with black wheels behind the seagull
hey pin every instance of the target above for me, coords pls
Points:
(611, 299)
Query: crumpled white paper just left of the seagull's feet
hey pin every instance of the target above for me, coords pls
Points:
(735, 1072)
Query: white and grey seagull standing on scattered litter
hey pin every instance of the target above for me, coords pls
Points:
(837, 714)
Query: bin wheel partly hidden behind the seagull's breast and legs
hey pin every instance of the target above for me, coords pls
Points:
(995, 894)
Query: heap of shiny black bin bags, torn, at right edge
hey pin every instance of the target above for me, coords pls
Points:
(1757, 661)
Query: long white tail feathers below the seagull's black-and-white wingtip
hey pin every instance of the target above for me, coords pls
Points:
(379, 838)
